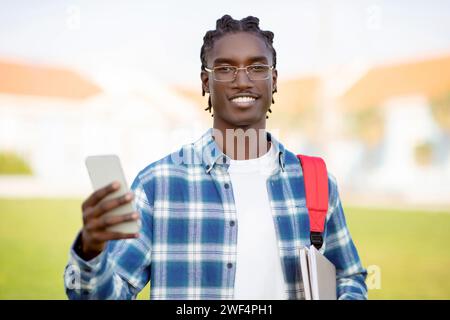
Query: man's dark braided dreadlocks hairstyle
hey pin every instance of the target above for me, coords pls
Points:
(227, 25)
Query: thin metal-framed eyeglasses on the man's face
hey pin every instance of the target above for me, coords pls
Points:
(228, 73)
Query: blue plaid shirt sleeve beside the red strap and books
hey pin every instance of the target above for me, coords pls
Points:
(341, 251)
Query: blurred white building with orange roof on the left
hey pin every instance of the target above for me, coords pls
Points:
(54, 118)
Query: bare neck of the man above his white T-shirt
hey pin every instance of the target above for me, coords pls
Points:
(242, 143)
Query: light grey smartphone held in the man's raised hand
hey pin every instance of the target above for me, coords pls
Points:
(103, 170)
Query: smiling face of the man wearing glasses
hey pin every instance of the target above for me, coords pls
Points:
(240, 50)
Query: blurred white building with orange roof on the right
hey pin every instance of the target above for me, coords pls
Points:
(402, 111)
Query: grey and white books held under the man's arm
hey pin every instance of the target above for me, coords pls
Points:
(319, 275)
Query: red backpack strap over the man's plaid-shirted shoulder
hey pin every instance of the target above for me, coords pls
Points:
(315, 178)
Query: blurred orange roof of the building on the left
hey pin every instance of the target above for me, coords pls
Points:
(27, 79)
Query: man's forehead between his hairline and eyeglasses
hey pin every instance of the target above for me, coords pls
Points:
(239, 47)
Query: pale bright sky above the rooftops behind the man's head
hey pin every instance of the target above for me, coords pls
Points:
(164, 38)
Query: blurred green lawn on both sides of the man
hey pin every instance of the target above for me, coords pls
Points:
(410, 247)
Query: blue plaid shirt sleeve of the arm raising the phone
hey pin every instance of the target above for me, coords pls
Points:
(122, 270)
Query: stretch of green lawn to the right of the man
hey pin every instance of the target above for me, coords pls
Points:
(410, 247)
